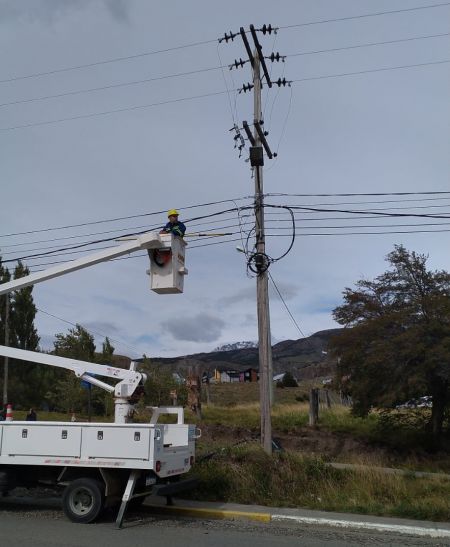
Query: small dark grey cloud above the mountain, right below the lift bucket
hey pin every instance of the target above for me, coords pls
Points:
(199, 328)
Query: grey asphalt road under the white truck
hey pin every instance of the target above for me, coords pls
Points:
(27, 522)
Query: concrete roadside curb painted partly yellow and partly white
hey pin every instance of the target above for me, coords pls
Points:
(432, 530)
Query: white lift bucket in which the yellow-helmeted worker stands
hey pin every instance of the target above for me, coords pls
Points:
(167, 268)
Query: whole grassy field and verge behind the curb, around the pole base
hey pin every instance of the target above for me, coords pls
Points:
(232, 466)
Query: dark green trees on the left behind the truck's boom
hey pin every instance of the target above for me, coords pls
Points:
(50, 388)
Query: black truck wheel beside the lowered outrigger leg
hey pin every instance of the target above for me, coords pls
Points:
(83, 500)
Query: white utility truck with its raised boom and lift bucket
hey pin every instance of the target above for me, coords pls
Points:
(102, 464)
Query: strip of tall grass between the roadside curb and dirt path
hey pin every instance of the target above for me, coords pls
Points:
(245, 474)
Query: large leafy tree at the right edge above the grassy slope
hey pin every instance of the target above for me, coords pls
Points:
(398, 345)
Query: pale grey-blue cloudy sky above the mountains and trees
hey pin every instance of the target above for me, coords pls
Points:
(357, 119)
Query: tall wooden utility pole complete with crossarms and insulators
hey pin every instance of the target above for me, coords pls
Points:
(258, 262)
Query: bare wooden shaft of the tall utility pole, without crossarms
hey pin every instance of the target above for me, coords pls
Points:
(262, 286)
